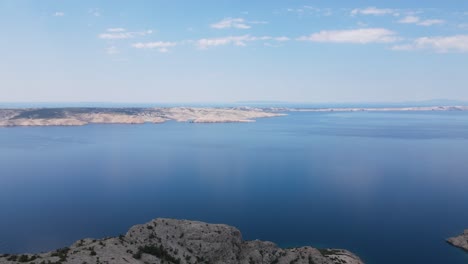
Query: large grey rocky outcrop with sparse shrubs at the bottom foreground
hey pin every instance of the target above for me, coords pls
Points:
(180, 242)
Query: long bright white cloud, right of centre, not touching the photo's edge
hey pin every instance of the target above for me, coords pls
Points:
(357, 36)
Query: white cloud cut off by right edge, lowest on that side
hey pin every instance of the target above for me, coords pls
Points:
(457, 43)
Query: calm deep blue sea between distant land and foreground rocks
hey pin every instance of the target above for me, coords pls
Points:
(388, 186)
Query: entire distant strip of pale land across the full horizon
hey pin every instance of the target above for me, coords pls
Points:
(78, 116)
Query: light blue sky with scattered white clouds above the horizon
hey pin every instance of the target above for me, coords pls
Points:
(169, 51)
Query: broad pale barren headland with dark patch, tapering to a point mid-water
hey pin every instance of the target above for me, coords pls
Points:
(84, 116)
